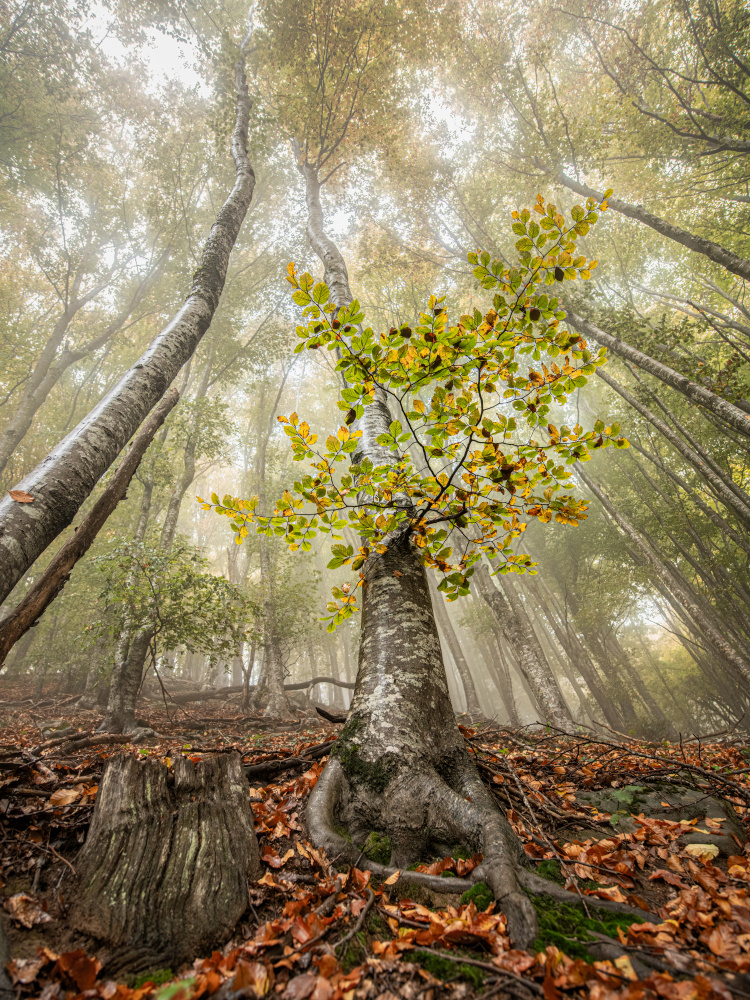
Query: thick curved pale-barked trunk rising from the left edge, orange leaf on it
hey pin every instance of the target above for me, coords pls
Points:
(63, 480)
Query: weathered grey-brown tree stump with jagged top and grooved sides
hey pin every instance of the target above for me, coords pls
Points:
(163, 874)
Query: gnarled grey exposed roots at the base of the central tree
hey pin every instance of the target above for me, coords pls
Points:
(419, 809)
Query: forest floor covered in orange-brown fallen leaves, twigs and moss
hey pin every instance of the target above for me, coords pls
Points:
(582, 806)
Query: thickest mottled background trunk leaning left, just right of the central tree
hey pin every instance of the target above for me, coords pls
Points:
(531, 660)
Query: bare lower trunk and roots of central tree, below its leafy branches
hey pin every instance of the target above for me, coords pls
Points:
(400, 765)
